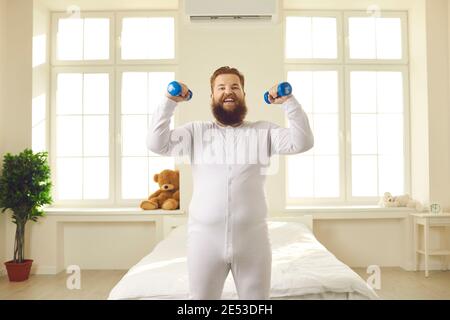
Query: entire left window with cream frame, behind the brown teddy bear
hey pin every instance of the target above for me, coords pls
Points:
(102, 102)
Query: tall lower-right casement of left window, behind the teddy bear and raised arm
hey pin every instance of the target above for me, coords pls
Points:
(139, 96)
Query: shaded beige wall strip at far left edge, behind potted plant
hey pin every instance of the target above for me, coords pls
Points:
(17, 77)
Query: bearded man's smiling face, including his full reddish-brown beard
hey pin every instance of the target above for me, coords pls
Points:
(228, 100)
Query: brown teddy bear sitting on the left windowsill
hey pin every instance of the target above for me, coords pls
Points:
(168, 195)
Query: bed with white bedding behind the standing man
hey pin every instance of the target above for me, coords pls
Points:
(302, 268)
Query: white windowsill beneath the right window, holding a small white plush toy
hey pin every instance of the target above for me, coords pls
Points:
(351, 212)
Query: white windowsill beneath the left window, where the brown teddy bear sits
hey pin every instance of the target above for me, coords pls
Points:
(109, 212)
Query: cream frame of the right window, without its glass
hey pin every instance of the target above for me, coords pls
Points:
(344, 65)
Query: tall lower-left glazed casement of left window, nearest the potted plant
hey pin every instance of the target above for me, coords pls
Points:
(82, 141)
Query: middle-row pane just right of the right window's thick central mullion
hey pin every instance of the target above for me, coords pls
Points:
(364, 134)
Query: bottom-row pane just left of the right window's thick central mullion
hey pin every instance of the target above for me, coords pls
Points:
(326, 176)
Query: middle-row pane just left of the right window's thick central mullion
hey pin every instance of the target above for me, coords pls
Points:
(326, 134)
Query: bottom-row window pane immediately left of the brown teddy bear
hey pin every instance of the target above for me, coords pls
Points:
(135, 178)
